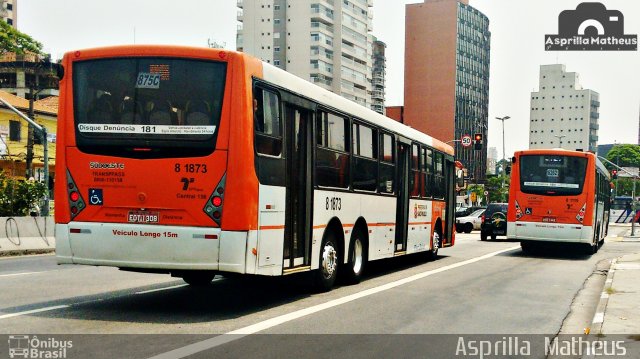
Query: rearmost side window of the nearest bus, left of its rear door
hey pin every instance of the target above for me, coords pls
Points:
(267, 123)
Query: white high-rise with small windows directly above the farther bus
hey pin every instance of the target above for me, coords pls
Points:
(563, 114)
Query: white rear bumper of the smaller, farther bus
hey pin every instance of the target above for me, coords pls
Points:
(549, 232)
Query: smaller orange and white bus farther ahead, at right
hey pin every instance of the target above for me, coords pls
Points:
(558, 196)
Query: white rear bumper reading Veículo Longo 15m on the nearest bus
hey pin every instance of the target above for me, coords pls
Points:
(151, 247)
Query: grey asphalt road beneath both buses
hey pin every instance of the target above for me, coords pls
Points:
(475, 288)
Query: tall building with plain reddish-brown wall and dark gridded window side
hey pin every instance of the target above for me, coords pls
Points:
(446, 80)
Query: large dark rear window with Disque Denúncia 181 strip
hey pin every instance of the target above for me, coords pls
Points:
(148, 107)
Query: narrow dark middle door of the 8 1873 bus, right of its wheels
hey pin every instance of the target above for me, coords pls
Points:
(402, 209)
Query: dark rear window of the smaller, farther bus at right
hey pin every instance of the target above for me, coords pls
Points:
(552, 174)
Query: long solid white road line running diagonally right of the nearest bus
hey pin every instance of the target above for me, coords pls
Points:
(269, 323)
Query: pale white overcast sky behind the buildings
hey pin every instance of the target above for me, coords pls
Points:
(517, 49)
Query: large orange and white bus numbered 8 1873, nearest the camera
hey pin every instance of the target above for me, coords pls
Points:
(195, 161)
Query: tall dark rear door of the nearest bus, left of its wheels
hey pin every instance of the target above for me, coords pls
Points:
(298, 127)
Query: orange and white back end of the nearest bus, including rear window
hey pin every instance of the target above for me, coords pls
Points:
(147, 160)
